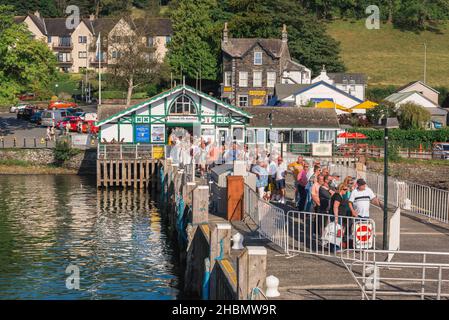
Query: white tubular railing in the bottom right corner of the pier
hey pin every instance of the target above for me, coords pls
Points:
(417, 273)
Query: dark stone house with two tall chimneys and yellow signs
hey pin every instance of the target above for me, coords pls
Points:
(252, 67)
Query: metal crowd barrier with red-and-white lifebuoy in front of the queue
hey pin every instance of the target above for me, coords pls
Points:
(314, 233)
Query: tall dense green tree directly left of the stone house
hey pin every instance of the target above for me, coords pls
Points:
(193, 49)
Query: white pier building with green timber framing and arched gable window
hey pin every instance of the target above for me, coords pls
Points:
(151, 122)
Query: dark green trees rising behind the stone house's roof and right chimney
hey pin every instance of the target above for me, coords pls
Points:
(308, 40)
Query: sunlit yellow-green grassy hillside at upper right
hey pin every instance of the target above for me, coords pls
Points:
(390, 56)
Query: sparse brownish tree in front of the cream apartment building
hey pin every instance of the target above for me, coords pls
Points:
(133, 61)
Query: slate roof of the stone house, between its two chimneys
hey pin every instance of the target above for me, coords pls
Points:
(238, 47)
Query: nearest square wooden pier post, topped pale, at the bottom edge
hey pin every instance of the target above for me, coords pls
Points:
(251, 272)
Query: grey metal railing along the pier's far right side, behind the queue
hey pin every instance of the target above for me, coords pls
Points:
(424, 200)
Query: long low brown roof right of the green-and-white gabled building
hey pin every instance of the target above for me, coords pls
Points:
(293, 117)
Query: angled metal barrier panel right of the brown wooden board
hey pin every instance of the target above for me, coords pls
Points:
(270, 219)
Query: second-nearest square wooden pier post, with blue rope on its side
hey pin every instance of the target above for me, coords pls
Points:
(220, 247)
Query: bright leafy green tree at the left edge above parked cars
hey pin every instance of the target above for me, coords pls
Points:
(25, 64)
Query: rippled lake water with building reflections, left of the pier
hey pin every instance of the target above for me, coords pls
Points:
(116, 239)
